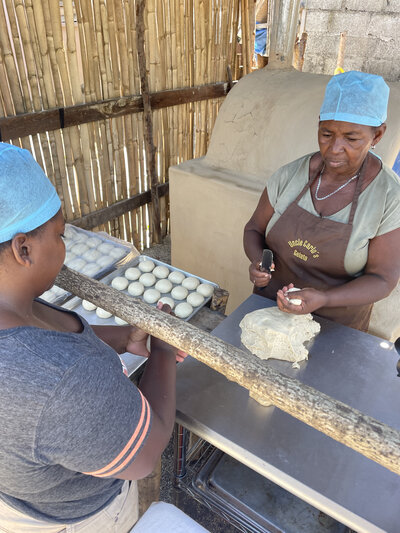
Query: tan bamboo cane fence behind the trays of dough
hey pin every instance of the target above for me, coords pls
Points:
(55, 54)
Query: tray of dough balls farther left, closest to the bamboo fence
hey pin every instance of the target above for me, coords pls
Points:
(89, 253)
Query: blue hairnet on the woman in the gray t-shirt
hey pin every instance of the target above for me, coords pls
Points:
(27, 197)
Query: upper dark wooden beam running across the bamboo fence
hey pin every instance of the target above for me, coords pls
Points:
(17, 126)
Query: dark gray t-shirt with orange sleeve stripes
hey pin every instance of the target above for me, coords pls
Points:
(66, 408)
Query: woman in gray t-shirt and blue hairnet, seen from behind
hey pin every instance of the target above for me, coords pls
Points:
(74, 428)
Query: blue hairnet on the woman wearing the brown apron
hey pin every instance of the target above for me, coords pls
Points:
(356, 97)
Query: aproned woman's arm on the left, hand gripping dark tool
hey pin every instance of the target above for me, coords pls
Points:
(254, 239)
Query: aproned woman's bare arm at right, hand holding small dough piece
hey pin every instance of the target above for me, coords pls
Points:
(380, 277)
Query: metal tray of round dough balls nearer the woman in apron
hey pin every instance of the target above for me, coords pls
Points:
(151, 281)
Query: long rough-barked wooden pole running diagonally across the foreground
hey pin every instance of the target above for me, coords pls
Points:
(362, 433)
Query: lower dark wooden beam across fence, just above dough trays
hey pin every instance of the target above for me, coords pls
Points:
(104, 215)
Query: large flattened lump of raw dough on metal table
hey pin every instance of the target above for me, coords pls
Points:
(272, 334)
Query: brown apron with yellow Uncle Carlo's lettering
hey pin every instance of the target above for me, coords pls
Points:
(309, 252)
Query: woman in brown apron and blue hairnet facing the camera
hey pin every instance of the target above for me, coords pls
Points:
(332, 219)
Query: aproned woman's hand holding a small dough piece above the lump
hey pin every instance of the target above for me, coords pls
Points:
(311, 300)
